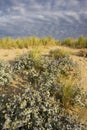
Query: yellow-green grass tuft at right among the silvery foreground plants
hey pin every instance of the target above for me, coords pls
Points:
(69, 91)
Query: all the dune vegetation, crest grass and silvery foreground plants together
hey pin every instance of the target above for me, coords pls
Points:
(41, 91)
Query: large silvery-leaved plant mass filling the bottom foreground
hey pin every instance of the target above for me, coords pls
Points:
(36, 110)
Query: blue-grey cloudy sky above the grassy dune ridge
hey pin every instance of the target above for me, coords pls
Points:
(57, 18)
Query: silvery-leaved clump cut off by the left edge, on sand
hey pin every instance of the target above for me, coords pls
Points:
(5, 73)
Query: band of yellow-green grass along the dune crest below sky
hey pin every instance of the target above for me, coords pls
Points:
(9, 43)
